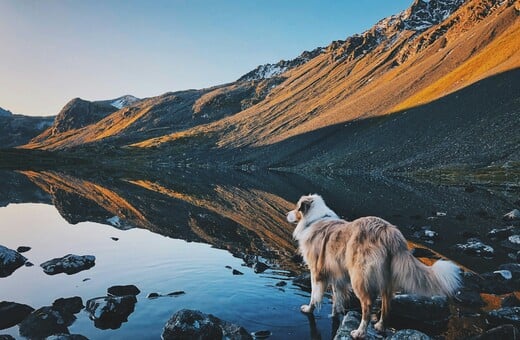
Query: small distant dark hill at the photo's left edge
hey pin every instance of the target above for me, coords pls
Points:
(19, 129)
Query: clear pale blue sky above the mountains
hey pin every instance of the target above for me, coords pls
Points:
(56, 50)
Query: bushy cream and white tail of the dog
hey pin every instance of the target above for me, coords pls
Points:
(408, 273)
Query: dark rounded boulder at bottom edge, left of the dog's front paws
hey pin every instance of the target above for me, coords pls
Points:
(193, 324)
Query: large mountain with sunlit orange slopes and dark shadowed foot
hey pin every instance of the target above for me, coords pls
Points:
(435, 85)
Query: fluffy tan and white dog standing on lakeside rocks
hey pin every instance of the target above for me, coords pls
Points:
(368, 256)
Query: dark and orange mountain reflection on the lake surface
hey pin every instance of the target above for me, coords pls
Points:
(244, 213)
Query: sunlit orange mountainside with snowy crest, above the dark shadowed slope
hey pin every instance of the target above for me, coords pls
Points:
(433, 49)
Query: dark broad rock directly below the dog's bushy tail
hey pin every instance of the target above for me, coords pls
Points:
(420, 312)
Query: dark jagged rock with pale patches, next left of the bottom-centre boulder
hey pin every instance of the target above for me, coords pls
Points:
(110, 312)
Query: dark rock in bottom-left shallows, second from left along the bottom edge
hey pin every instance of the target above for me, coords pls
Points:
(44, 322)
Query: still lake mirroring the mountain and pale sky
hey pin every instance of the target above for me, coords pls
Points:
(188, 230)
